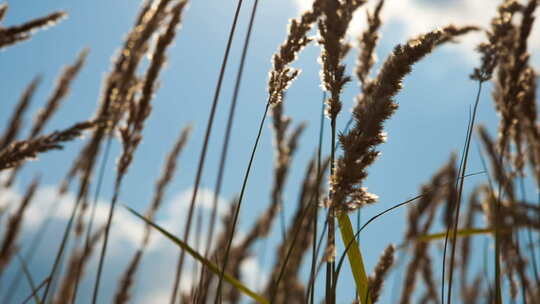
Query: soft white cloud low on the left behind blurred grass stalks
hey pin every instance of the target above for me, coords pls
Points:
(125, 237)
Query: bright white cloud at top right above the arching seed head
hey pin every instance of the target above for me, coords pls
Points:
(418, 16)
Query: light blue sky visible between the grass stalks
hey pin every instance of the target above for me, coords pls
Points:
(429, 125)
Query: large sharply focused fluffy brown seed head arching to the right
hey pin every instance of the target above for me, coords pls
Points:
(372, 109)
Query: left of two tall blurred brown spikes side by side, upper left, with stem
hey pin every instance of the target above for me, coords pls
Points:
(120, 86)
